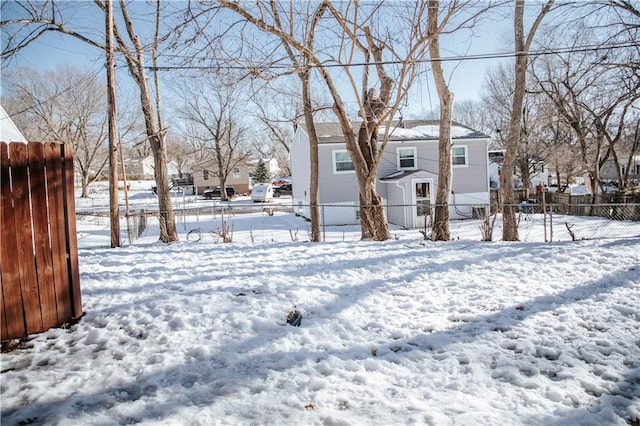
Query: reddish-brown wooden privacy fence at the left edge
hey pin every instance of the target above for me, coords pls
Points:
(40, 285)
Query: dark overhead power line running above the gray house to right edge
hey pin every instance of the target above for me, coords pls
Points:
(497, 55)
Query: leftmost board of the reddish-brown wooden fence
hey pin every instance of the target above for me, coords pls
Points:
(12, 310)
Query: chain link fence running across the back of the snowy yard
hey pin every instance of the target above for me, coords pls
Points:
(281, 223)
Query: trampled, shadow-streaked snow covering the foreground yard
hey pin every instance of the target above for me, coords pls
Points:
(404, 331)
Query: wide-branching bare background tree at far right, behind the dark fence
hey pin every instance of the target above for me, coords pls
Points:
(595, 98)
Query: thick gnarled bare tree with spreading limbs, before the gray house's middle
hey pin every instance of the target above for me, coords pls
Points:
(379, 89)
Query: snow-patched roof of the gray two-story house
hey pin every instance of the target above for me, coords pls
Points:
(403, 130)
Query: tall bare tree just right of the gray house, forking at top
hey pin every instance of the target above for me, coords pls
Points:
(522, 47)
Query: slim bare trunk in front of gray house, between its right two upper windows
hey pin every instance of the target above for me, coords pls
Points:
(441, 212)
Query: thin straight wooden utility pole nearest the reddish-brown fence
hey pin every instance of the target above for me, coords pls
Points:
(113, 132)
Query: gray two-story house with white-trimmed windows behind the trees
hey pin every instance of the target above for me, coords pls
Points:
(407, 174)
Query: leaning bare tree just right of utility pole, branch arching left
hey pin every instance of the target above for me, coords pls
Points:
(29, 21)
